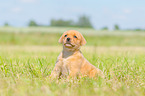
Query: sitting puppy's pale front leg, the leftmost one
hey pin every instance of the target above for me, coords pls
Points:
(56, 73)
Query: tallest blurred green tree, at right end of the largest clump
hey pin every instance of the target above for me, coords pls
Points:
(84, 21)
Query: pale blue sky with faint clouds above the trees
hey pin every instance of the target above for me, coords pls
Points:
(126, 13)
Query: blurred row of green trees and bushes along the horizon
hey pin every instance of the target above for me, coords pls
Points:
(82, 22)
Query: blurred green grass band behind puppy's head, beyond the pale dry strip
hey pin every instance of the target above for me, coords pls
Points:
(50, 38)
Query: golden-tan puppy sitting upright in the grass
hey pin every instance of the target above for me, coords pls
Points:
(71, 63)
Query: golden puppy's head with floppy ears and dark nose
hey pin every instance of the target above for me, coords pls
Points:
(72, 39)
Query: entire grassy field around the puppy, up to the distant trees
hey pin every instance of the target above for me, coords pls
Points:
(28, 57)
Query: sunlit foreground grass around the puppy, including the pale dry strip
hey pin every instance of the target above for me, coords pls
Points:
(24, 70)
